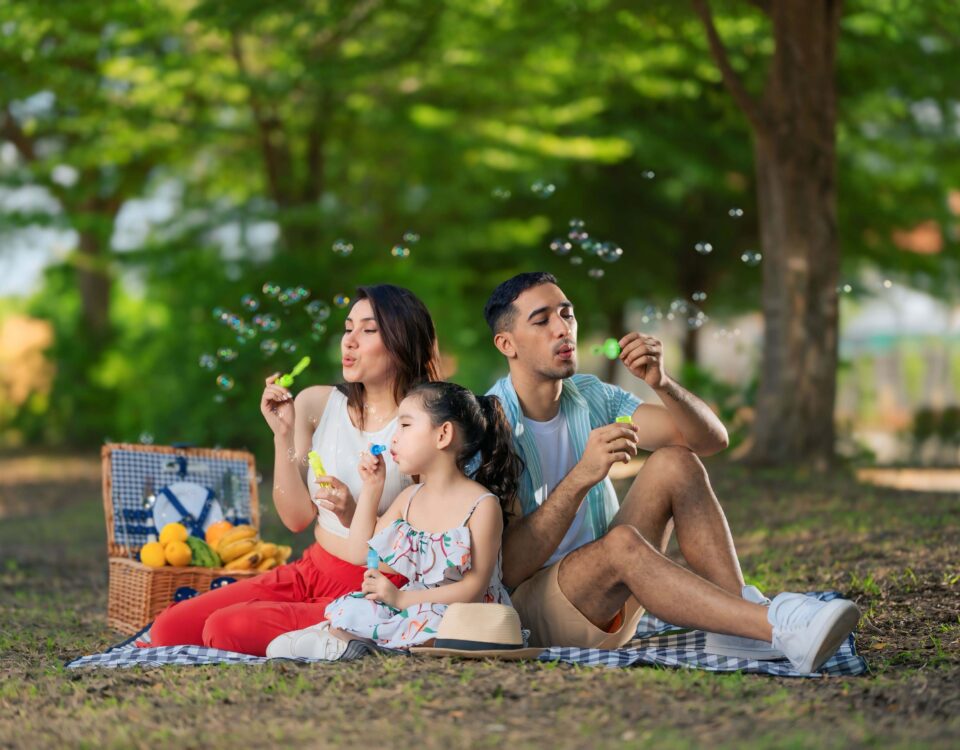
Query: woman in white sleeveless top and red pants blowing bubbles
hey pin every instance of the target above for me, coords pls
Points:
(389, 345)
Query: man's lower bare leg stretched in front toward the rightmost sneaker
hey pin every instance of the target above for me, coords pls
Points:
(598, 578)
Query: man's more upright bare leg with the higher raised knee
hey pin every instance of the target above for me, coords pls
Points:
(672, 491)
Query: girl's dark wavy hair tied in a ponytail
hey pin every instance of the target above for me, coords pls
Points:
(484, 429)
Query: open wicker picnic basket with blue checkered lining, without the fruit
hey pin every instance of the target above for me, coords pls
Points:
(138, 593)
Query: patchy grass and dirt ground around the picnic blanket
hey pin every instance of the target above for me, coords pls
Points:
(894, 550)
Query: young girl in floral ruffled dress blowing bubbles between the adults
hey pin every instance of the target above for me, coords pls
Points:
(442, 534)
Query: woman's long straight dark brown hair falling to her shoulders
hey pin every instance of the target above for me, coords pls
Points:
(409, 337)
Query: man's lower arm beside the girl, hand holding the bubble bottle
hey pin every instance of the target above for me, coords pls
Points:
(529, 541)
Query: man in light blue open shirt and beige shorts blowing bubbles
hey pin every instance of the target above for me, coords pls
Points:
(583, 569)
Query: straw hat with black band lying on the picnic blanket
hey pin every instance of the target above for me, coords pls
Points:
(478, 631)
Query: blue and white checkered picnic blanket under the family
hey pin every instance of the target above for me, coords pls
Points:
(659, 644)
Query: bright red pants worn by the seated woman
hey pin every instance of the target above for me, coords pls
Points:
(245, 616)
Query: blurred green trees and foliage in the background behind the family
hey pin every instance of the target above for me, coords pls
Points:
(160, 160)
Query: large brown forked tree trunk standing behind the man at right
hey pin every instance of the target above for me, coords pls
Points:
(794, 129)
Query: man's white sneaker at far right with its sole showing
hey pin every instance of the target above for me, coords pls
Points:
(810, 631)
